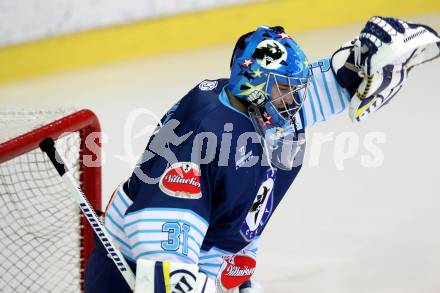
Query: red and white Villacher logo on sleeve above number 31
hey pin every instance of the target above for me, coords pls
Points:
(181, 180)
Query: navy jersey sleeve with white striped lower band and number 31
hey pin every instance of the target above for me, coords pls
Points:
(161, 213)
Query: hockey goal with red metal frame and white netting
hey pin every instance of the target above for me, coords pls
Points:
(44, 240)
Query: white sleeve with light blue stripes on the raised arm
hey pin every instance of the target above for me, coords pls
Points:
(325, 97)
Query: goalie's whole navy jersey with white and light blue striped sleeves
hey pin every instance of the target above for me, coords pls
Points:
(203, 189)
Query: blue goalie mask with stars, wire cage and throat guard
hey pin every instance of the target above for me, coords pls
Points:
(269, 75)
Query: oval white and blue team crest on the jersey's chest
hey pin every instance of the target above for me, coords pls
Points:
(260, 209)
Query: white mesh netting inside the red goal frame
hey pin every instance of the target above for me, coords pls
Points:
(39, 221)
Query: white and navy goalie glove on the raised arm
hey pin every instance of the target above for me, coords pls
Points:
(374, 66)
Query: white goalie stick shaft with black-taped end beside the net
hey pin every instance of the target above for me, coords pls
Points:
(48, 147)
